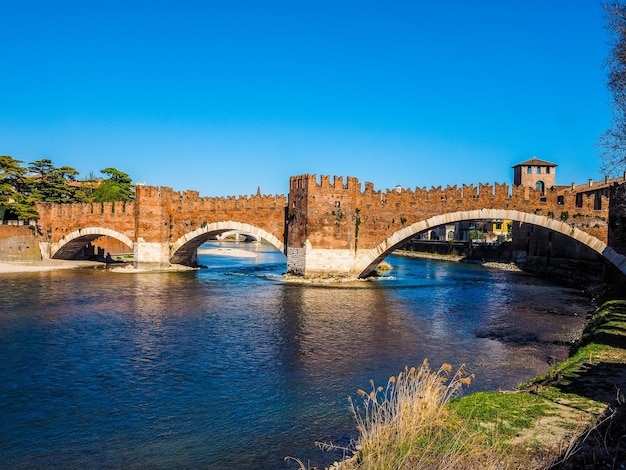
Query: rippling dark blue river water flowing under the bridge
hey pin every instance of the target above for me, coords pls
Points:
(229, 367)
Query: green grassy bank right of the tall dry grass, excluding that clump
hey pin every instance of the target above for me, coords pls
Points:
(574, 415)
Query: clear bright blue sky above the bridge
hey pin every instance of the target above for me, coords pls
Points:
(223, 97)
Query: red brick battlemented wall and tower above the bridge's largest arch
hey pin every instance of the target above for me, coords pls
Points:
(326, 212)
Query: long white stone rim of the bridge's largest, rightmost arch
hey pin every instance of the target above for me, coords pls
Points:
(370, 259)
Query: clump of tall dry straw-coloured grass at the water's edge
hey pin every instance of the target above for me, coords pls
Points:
(407, 425)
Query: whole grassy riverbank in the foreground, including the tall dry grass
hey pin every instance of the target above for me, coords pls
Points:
(572, 417)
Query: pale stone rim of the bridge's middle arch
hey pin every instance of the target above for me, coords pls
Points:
(185, 249)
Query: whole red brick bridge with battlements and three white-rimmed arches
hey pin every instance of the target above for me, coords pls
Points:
(323, 227)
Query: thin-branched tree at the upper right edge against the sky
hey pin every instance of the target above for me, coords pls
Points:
(613, 141)
